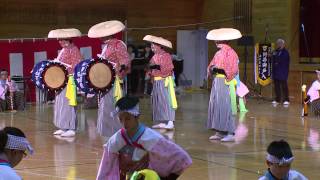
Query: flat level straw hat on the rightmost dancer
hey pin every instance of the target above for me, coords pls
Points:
(223, 34)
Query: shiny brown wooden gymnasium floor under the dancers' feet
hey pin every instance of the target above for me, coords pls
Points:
(79, 158)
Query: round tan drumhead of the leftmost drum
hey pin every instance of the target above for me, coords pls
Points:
(55, 77)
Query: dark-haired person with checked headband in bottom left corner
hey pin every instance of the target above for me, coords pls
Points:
(14, 146)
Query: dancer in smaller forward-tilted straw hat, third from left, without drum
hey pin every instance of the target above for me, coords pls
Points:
(164, 101)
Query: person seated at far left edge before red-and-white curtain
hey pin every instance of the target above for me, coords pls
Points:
(10, 96)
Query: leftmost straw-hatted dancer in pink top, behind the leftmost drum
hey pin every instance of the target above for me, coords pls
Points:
(65, 114)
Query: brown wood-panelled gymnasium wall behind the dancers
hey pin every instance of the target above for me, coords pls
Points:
(34, 18)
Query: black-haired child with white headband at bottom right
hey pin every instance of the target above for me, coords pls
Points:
(279, 159)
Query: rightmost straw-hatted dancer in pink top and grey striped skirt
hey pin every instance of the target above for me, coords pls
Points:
(223, 68)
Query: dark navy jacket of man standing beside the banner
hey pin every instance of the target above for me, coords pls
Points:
(280, 64)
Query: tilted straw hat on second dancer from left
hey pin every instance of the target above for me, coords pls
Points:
(104, 29)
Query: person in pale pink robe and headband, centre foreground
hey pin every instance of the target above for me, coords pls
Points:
(136, 147)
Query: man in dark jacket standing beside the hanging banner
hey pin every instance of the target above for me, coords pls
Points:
(280, 72)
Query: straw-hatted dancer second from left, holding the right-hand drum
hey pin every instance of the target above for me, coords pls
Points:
(115, 51)
